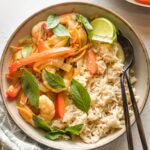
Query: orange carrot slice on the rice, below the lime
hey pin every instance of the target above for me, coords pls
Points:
(91, 64)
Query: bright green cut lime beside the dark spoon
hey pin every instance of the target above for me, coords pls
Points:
(103, 30)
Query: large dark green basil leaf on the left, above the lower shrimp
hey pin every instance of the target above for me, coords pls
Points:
(30, 87)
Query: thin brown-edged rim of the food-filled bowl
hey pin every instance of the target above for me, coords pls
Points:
(64, 4)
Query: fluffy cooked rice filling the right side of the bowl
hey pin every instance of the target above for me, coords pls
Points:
(106, 113)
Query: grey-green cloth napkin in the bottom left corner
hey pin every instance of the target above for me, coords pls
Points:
(11, 137)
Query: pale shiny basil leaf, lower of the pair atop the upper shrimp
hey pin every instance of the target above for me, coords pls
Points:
(61, 30)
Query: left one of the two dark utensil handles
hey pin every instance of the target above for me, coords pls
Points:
(126, 114)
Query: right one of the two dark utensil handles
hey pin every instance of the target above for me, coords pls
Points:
(137, 114)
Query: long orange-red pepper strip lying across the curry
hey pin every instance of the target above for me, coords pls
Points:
(52, 53)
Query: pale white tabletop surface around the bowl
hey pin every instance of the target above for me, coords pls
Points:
(13, 12)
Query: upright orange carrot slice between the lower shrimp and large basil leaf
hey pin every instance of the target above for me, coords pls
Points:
(59, 106)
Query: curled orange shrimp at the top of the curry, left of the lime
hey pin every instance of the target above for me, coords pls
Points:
(77, 32)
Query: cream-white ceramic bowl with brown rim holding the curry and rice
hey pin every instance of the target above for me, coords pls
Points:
(141, 67)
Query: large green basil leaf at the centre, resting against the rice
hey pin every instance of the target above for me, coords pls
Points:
(80, 96)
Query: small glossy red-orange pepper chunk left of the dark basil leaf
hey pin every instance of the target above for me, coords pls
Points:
(13, 91)
